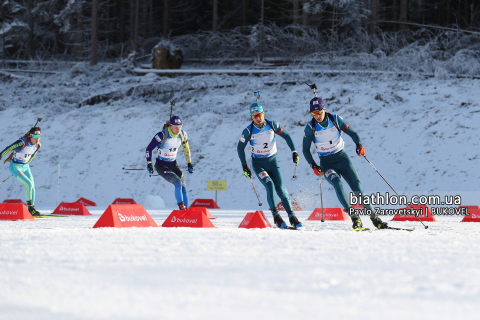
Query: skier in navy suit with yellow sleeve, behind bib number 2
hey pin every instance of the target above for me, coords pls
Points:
(167, 142)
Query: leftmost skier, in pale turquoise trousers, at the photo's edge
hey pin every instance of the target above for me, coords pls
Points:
(23, 152)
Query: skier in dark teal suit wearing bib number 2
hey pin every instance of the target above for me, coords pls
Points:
(261, 135)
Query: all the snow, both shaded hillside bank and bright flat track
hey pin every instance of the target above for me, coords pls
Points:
(419, 133)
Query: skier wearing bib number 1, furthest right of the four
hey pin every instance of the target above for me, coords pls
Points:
(325, 132)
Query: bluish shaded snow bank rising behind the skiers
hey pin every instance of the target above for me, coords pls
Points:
(419, 133)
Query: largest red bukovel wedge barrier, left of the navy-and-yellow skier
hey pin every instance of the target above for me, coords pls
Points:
(125, 216)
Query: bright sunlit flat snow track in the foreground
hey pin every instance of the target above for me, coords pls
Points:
(63, 269)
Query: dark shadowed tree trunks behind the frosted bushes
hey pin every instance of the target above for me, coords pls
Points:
(109, 29)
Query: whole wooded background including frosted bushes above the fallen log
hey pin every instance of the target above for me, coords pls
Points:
(425, 36)
